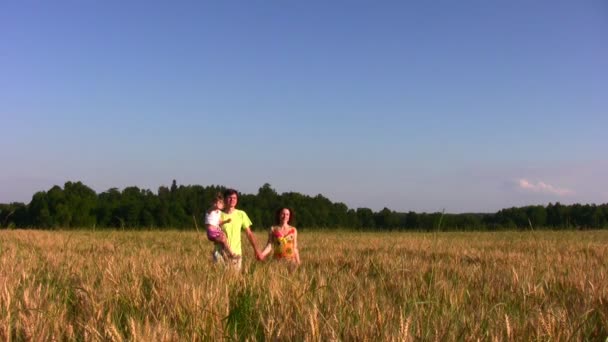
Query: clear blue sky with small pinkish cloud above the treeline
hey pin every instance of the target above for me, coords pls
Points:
(467, 106)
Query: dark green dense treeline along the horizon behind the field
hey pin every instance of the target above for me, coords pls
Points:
(78, 206)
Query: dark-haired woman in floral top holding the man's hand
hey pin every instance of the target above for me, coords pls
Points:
(283, 238)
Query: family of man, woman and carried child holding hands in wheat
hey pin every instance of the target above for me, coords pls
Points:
(224, 223)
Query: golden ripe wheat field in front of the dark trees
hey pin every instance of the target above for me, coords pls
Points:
(162, 286)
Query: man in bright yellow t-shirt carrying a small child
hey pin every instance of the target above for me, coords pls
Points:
(237, 221)
